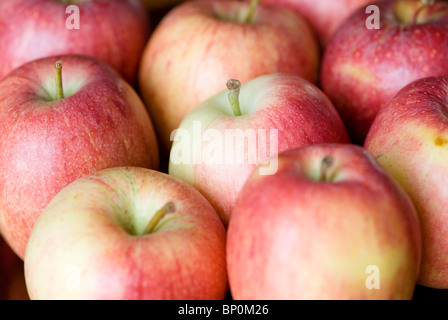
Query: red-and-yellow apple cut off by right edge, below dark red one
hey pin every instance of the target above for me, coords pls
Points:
(409, 137)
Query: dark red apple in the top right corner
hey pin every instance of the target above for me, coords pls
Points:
(363, 68)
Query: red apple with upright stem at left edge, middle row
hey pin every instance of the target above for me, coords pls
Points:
(58, 124)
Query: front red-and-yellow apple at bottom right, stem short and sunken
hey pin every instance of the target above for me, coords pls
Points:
(330, 224)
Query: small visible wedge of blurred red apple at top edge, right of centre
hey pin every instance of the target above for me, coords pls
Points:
(324, 16)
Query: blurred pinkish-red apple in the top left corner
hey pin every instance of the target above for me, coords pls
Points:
(114, 31)
